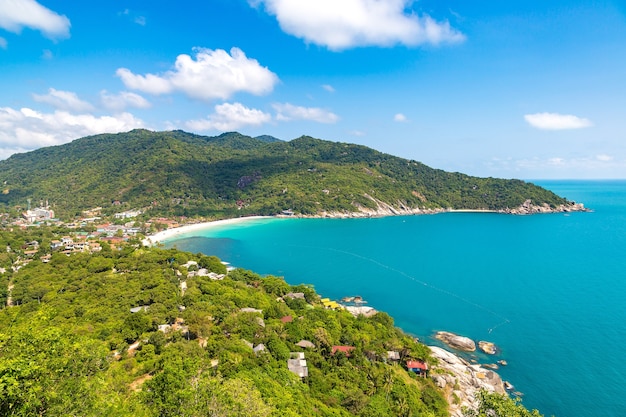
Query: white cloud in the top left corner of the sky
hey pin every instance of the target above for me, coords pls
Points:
(17, 14)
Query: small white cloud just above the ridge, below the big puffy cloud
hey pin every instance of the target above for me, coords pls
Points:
(228, 117)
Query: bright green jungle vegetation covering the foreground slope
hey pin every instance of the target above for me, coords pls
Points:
(70, 344)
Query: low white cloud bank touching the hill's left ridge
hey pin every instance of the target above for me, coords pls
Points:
(26, 129)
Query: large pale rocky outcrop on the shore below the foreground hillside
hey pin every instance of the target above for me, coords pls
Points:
(461, 381)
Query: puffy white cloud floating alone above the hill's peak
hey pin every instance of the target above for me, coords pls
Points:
(213, 74)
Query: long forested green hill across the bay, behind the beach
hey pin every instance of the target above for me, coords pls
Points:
(178, 173)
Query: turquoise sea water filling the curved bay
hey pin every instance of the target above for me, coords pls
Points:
(547, 289)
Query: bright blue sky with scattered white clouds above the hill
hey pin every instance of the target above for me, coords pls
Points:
(530, 89)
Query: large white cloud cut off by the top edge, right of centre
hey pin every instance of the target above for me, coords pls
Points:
(351, 23)
